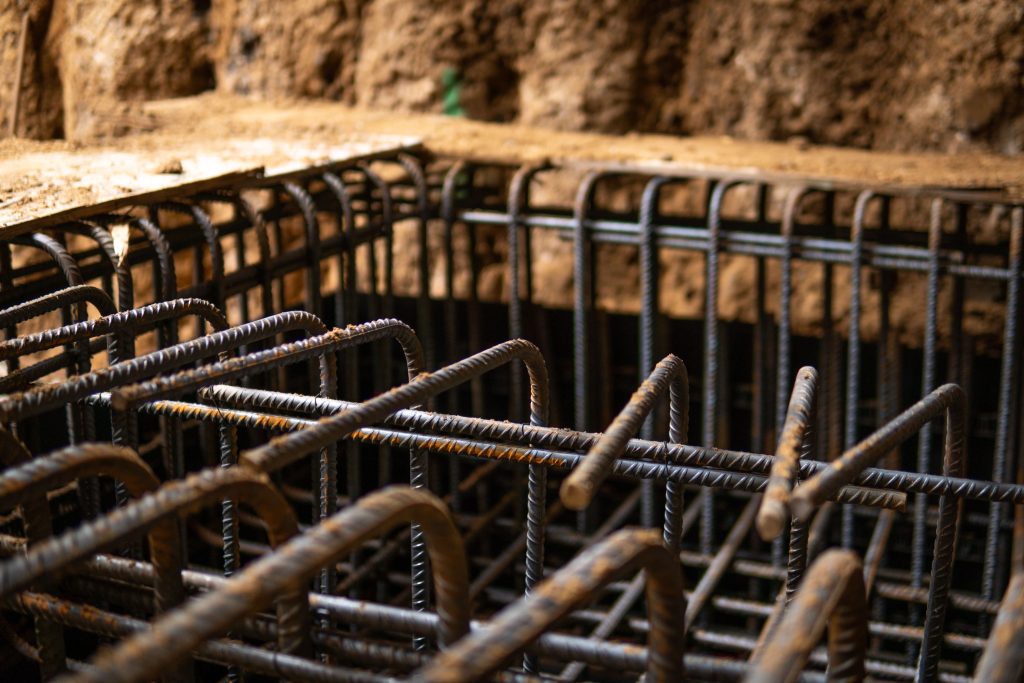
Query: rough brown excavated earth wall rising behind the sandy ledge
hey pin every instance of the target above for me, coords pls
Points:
(916, 75)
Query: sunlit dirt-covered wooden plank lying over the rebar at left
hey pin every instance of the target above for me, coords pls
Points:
(49, 184)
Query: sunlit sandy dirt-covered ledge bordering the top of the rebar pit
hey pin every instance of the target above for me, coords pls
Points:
(200, 139)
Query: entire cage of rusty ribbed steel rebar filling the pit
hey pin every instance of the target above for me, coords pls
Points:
(293, 430)
